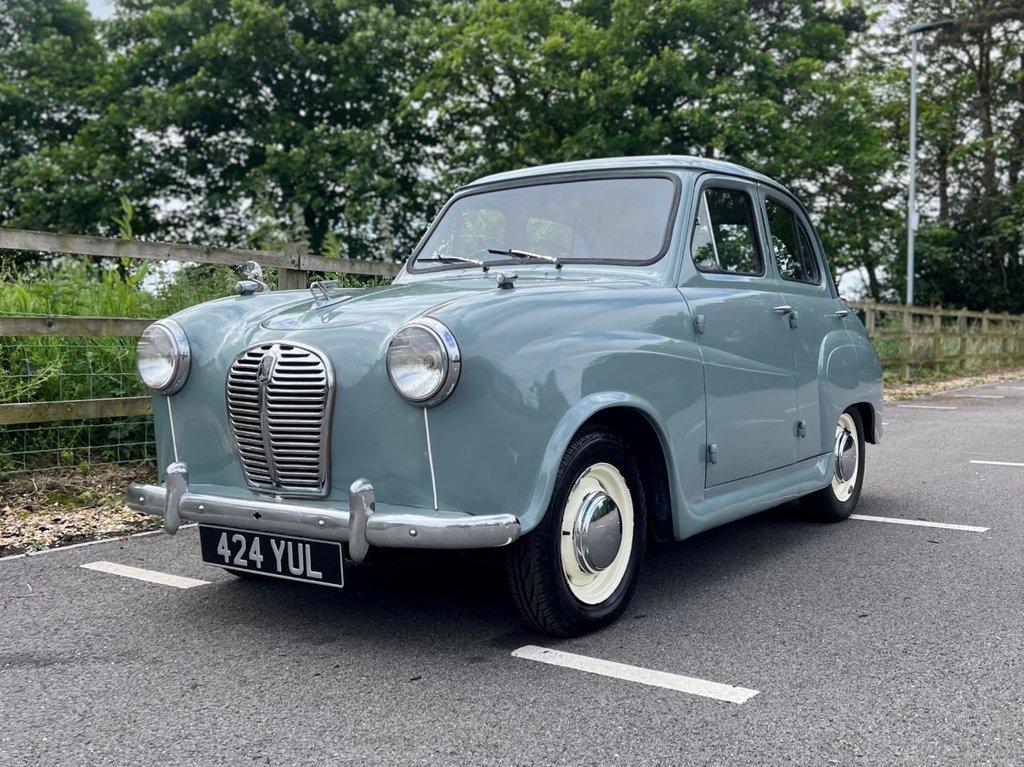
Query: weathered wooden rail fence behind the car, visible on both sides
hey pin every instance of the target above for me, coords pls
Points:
(909, 338)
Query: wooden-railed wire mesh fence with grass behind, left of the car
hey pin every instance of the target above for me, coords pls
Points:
(77, 361)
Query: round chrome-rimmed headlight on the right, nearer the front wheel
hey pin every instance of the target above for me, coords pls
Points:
(423, 362)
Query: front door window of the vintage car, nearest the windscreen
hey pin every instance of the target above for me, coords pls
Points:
(724, 239)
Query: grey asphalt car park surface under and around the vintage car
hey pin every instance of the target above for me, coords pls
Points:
(869, 644)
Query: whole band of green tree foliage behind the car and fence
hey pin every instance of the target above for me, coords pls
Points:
(345, 122)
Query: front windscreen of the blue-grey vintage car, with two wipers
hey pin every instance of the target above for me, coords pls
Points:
(609, 221)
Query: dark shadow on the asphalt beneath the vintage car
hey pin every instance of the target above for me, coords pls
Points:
(433, 600)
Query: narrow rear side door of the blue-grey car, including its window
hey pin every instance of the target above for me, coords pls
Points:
(808, 289)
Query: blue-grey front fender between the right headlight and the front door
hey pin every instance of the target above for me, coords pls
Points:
(536, 369)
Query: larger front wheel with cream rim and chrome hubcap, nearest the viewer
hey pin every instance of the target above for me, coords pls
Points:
(578, 570)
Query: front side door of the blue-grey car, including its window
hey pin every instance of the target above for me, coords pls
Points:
(745, 342)
